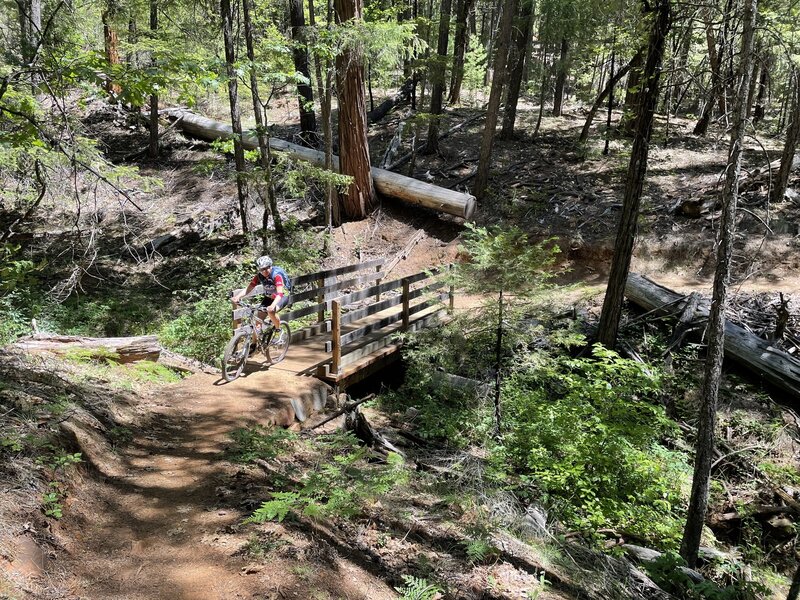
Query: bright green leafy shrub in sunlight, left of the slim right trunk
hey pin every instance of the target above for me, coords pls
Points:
(585, 434)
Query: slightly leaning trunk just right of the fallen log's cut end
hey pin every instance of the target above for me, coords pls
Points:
(498, 81)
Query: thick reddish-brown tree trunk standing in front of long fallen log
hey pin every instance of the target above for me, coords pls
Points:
(354, 147)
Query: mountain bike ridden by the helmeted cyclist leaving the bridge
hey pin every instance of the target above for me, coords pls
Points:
(253, 335)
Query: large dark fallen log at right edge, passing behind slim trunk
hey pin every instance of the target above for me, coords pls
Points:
(759, 355)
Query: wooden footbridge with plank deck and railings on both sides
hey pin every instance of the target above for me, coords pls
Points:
(348, 322)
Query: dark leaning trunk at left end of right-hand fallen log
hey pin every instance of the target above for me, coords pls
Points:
(626, 232)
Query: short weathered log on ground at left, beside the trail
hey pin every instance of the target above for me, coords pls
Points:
(126, 349)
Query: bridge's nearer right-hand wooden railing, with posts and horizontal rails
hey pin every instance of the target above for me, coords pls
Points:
(417, 300)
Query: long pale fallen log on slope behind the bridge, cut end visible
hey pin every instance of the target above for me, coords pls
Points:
(387, 183)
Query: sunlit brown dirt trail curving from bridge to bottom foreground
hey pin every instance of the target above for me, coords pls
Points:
(164, 519)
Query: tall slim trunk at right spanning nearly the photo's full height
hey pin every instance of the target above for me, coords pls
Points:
(707, 417)
